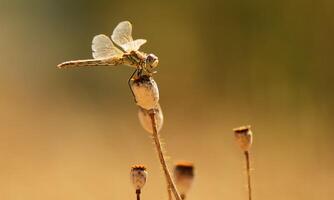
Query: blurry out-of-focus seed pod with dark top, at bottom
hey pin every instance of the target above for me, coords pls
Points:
(183, 175)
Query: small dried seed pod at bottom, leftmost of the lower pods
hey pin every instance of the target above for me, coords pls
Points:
(138, 176)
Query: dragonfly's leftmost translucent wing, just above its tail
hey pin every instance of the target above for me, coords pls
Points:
(103, 47)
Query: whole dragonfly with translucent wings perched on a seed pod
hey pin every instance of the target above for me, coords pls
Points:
(106, 53)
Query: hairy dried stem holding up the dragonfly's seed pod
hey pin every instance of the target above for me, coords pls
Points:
(170, 184)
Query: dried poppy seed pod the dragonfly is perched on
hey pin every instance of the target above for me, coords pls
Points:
(146, 92)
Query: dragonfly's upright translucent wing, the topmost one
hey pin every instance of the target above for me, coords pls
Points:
(122, 34)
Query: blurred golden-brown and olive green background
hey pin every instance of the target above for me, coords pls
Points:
(74, 134)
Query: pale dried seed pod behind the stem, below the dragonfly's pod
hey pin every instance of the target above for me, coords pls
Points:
(145, 119)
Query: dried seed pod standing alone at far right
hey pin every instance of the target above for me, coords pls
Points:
(244, 137)
